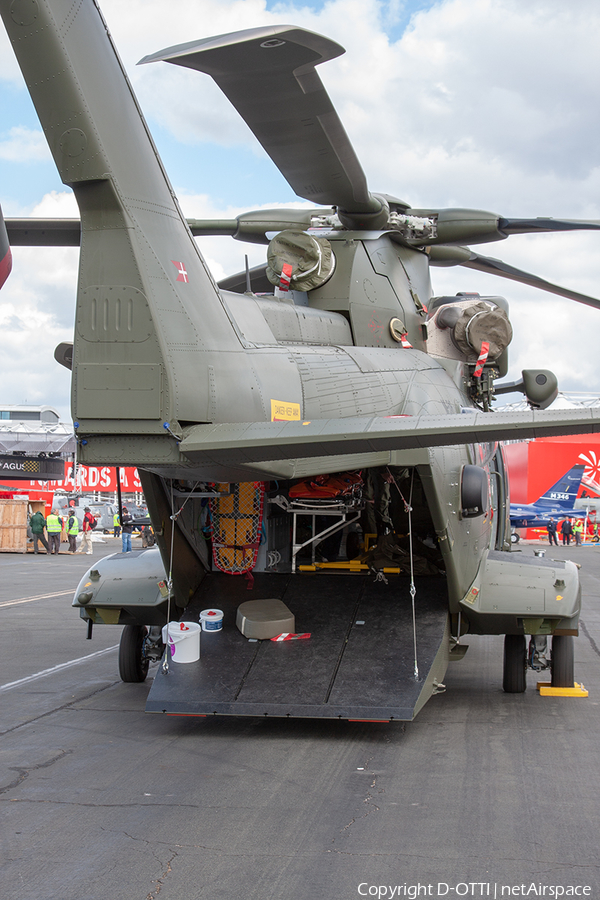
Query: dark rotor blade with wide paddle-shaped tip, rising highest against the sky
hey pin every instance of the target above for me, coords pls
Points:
(269, 75)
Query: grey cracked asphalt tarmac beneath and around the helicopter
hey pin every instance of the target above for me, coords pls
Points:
(485, 794)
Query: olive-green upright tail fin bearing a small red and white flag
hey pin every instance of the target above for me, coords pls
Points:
(146, 302)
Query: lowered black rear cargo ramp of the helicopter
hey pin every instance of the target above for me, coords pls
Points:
(345, 670)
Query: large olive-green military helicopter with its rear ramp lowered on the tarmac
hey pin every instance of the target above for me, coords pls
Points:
(322, 424)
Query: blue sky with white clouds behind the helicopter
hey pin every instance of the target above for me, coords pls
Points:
(490, 104)
